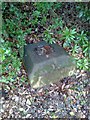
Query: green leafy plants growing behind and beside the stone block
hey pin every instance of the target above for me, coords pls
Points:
(20, 20)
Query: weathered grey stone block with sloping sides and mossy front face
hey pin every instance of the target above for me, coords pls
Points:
(44, 69)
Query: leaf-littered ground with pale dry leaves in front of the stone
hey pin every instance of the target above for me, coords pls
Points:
(65, 99)
